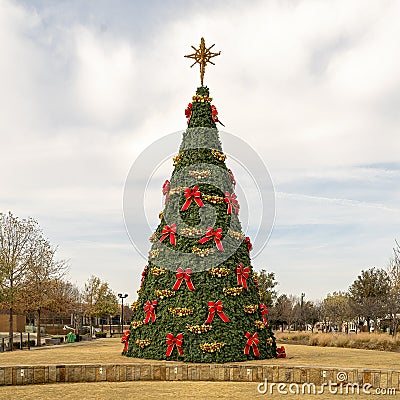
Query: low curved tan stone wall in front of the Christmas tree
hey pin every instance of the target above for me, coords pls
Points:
(22, 375)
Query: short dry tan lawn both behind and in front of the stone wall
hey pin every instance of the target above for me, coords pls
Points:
(109, 351)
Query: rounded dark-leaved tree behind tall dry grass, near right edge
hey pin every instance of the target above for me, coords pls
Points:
(369, 295)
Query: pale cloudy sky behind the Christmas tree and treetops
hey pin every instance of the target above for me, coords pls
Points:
(313, 87)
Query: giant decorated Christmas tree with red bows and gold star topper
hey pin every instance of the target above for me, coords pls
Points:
(198, 300)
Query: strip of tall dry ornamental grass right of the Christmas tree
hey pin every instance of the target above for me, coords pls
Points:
(368, 341)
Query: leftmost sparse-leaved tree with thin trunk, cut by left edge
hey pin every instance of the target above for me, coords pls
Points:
(17, 241)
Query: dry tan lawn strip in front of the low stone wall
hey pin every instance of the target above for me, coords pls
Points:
(157, 391)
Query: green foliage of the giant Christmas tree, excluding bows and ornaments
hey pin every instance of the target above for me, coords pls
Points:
(197, 153)
